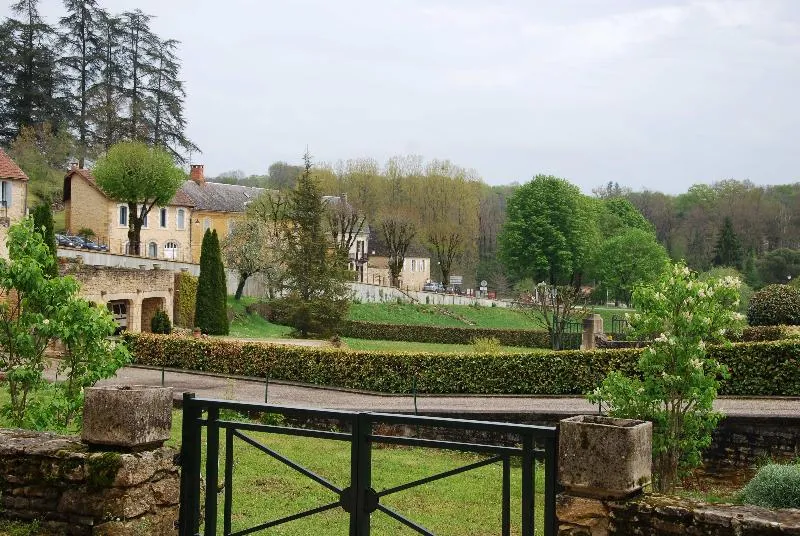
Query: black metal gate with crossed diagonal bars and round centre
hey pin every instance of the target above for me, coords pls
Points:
(359, 499)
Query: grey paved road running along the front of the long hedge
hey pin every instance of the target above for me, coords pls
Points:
(214, 386)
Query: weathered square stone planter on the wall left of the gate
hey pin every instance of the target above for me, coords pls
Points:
(128, 416)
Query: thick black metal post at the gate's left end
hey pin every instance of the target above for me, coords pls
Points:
(189, 520)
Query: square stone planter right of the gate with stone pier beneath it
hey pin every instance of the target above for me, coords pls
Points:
(600, 459)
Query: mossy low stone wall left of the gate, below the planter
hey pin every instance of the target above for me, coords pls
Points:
(72, 490)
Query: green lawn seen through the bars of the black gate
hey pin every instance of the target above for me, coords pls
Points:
(465, 505)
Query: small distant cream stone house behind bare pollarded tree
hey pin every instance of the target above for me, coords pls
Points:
(416, 266)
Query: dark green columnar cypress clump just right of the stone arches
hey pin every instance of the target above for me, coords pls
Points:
(211, 314)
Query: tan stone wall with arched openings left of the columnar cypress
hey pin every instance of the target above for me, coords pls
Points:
(142, 292)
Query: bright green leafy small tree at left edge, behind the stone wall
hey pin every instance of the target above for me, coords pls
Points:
(37, 310)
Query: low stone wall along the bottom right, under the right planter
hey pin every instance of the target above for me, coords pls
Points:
(657, 515)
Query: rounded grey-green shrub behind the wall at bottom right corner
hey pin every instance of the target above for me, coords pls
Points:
(774, 486)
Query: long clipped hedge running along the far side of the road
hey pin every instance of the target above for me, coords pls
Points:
(765, 368)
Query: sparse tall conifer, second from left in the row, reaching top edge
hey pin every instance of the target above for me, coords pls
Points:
(81, 46)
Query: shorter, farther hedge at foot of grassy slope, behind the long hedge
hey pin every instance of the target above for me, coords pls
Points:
(527, 338)
